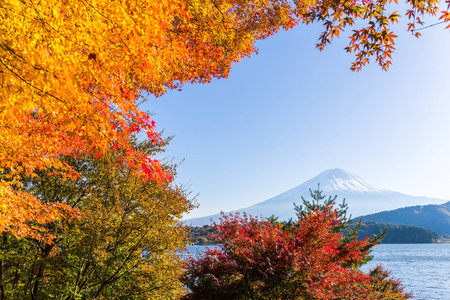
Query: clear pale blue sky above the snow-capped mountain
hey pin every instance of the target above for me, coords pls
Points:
(290, 112)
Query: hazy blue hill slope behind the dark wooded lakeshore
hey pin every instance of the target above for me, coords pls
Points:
(432, 217)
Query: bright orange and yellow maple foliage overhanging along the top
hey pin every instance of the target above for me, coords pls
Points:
(72, 73)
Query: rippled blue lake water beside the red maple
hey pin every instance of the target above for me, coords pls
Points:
(423, 268)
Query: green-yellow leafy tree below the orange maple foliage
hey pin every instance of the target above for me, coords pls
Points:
(125, 247)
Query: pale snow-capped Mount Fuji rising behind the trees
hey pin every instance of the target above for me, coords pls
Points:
(362, 198)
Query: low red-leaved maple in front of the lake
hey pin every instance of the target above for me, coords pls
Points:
(308, 259)
